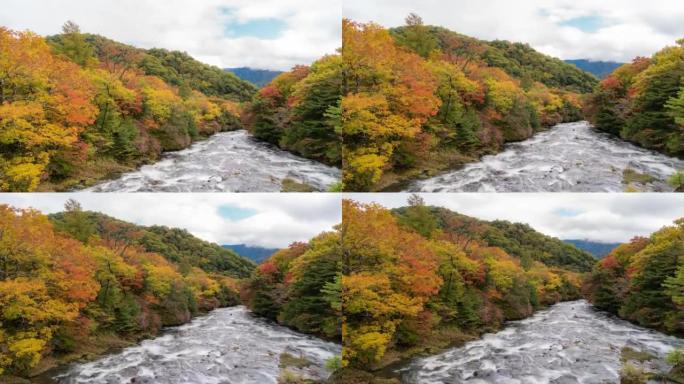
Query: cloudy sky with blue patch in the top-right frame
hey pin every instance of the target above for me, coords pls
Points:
(616, 30)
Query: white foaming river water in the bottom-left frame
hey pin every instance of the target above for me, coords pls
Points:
(227, 346)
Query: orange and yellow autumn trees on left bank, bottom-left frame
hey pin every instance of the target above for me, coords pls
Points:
(79, 283)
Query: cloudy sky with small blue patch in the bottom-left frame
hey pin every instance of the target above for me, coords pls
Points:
(269, 220)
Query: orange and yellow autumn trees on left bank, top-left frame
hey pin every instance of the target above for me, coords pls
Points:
(77, 108)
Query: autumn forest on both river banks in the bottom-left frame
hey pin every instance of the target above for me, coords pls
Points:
(76, 284)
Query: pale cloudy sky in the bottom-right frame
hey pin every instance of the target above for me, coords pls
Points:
(605, 217)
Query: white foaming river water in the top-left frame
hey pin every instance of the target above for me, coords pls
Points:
(226, 162)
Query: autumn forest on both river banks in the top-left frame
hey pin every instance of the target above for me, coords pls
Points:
(77, 108)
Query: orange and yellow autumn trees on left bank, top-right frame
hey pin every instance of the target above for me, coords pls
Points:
(419, 99)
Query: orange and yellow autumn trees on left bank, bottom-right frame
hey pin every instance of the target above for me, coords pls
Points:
(421, 278)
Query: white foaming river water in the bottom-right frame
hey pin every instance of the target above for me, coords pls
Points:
(568, 343)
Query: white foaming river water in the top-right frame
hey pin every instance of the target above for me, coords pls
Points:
(570, 157)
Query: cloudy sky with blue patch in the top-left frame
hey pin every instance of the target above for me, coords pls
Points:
(268, 34)
